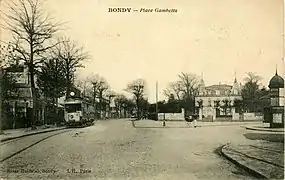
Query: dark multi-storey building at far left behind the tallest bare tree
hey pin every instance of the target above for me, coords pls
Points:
(19, 104)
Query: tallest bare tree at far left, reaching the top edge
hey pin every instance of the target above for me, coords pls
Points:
(31, 29)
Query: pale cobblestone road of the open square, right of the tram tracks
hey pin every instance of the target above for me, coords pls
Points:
(113, 149)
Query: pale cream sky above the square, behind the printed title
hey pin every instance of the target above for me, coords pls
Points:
(216, 38)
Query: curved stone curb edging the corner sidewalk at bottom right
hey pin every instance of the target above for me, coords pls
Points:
(249, 170)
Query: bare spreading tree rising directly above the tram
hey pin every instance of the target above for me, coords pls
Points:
(72, 57)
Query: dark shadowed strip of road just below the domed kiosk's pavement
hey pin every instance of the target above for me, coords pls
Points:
(267, 137)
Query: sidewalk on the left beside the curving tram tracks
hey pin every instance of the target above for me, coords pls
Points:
(17, 133)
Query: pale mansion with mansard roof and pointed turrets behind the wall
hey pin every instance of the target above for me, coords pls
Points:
(217, 100)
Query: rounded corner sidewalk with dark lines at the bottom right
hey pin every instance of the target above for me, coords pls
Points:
(262, 159)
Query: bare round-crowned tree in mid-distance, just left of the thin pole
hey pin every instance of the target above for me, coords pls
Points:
(137, 88)
